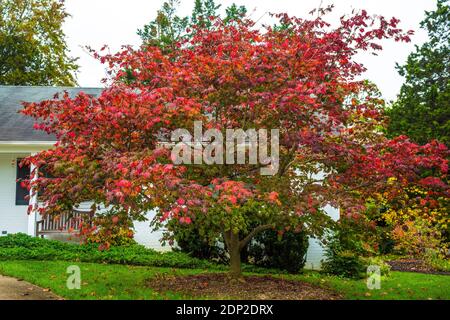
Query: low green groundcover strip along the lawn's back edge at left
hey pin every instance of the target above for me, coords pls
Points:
(23, 247)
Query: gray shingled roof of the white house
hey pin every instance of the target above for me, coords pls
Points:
(17, 127)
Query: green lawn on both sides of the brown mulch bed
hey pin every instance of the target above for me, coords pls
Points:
(106, 281)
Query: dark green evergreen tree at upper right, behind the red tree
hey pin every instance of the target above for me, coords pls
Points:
(422, 110)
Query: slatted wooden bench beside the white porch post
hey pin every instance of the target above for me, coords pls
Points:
(64, 223)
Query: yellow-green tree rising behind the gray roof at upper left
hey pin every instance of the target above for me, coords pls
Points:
(33, 50)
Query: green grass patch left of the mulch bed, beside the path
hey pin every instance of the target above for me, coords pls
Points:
(98, 281)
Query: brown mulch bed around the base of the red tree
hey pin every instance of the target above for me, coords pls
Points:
(219, 286)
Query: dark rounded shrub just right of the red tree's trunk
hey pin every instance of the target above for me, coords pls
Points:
(287, 252)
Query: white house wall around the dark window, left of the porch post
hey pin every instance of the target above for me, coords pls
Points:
(13, 218)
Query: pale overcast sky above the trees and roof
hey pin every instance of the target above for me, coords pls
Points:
(115, 22)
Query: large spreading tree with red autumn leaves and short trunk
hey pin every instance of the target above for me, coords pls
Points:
(299, 77)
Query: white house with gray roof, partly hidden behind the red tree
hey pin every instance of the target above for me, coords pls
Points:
(18, 139)
